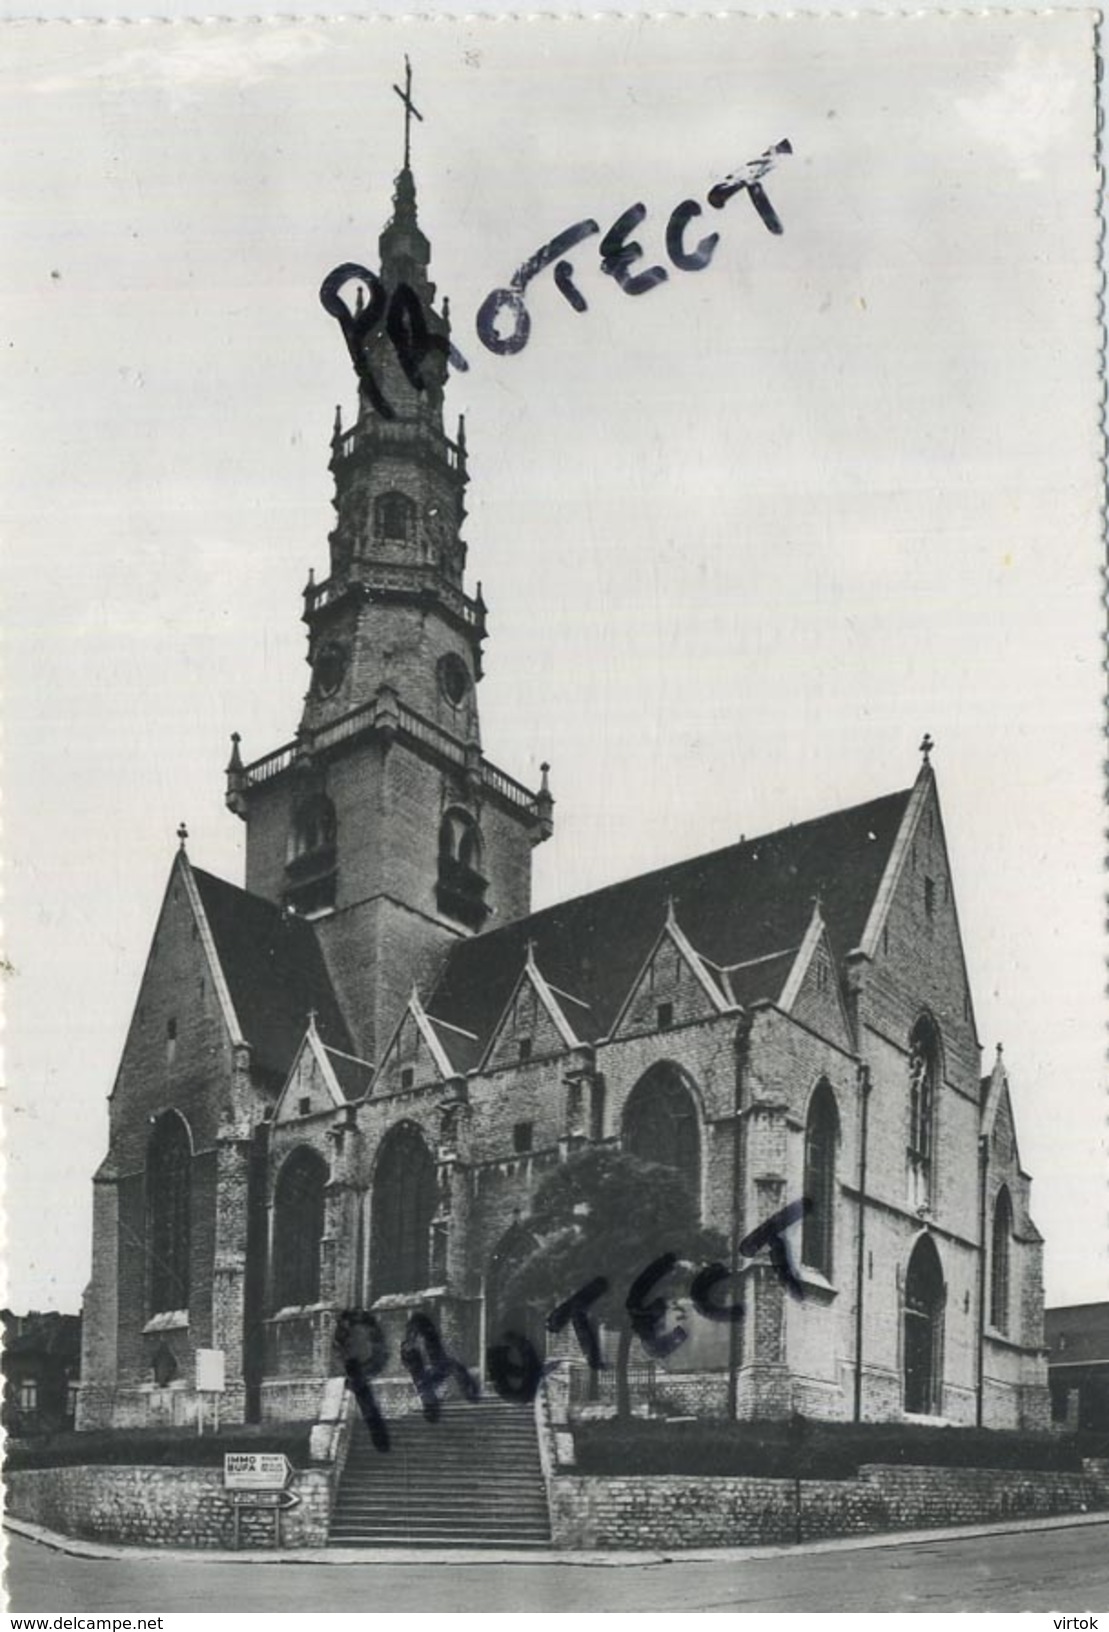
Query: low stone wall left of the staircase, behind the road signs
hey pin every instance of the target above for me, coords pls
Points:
(162, 1507)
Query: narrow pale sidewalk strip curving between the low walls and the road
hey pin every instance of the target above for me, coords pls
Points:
(454, 1558)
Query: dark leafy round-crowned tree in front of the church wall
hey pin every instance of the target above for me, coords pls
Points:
(614, 1235)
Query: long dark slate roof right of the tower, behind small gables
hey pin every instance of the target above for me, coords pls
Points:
(736, 907)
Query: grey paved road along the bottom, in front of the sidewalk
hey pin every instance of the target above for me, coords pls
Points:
(1064, 1571)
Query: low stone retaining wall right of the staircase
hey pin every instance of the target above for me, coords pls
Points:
(669, 1512)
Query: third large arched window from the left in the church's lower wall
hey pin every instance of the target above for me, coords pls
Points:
(404, 1207)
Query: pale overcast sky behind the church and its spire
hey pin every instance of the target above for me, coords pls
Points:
(744, 539)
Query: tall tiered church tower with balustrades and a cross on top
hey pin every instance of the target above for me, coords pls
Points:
(382, 822)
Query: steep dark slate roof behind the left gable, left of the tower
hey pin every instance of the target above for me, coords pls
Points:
(275, 972)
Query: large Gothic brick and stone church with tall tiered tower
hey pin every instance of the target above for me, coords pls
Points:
(345, 1080)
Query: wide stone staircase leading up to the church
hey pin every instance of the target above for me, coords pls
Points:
(472, 1479)
